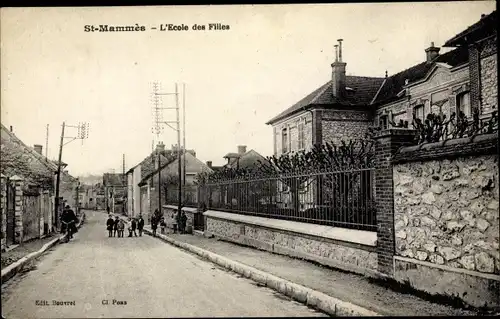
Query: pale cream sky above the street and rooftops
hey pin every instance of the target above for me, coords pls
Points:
(236, 80)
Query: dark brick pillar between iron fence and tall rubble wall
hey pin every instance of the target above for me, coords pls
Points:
(387, 143)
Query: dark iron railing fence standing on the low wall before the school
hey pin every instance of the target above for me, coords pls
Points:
(335, 198)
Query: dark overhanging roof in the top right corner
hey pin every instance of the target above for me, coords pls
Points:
(479, 30)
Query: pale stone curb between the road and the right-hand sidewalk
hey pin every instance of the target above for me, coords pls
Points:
(310, 297)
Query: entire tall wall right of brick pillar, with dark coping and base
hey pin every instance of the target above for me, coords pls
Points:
(446, 200)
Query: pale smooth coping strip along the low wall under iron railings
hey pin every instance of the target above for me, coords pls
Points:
(362, 237)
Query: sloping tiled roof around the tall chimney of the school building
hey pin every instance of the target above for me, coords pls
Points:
(363, 90)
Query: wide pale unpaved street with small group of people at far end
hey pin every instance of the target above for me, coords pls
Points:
(97, 276)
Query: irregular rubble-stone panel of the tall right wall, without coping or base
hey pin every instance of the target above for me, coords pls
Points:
(446, 212)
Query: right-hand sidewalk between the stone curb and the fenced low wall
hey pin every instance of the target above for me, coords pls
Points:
(347, 287)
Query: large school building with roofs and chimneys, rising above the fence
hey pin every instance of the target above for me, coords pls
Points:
(343, 108)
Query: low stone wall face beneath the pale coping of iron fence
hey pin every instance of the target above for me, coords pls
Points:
(356, 258)
